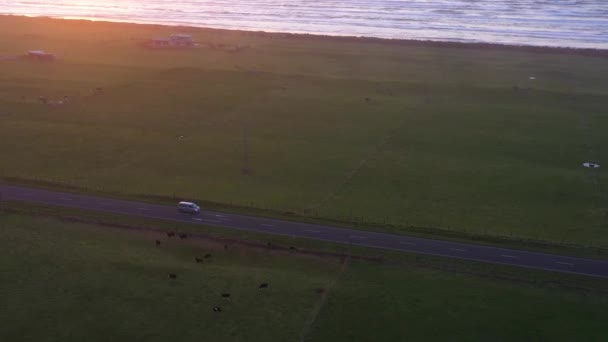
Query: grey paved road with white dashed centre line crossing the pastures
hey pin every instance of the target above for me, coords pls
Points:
(487, 254)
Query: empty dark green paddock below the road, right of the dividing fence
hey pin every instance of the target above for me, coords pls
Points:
(379, 303)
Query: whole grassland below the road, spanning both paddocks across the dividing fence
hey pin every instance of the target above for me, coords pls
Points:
(72, 282)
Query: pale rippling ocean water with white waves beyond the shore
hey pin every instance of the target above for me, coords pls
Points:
(568, 23)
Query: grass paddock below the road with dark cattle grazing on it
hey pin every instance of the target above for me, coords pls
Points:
(70, 282)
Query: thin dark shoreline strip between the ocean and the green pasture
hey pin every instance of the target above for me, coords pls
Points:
(603, 53)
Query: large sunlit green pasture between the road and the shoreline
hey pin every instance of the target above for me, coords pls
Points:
(450, 138)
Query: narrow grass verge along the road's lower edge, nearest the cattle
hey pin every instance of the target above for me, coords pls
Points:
(222, 237)
